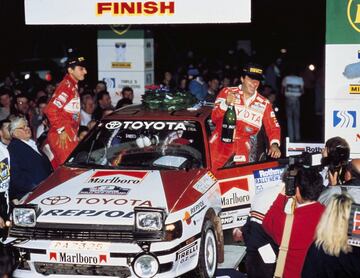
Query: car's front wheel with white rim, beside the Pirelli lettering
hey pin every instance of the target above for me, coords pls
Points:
(207, 263)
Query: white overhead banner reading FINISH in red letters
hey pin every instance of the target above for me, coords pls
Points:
(38, 12)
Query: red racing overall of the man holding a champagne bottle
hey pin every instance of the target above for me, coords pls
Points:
(250, 116)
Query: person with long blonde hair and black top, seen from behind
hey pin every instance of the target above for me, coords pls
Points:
(331, 256)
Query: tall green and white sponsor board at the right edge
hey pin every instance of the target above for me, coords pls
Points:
(342, 80)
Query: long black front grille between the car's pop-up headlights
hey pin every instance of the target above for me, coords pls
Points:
(83, 233)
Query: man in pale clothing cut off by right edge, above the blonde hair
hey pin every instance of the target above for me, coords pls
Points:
(351, 186)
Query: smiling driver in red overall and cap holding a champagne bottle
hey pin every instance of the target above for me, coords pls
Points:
(252, 111)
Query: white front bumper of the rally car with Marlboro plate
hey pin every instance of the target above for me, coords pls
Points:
(40, 259)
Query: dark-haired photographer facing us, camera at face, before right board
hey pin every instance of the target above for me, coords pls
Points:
(335, 154)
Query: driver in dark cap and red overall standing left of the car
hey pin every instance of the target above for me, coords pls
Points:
(63, 112)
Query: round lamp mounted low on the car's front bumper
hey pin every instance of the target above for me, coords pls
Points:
(145, 266)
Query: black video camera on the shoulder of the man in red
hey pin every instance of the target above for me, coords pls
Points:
(295, 162)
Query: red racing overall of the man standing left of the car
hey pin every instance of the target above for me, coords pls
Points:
(63, 112)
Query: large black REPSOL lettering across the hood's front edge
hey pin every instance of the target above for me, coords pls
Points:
(89, 213)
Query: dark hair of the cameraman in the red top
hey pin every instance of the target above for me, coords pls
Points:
(309, 182)
